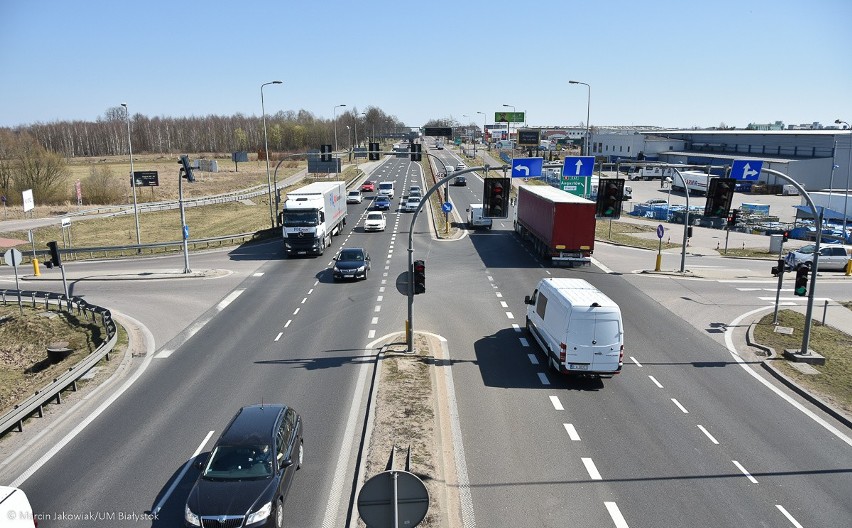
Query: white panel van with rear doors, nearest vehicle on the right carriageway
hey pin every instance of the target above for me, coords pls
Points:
(577, 326)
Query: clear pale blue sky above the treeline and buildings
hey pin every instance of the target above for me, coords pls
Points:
(672, 63)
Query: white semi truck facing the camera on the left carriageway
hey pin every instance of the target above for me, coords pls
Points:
(311, 216)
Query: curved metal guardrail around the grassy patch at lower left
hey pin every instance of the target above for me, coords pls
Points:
(53, 390)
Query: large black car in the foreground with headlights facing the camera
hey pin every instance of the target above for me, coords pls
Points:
(245, 478)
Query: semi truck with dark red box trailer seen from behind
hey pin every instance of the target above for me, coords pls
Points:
(559, 225)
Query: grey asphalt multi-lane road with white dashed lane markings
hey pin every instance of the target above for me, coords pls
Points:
(685, 436)
